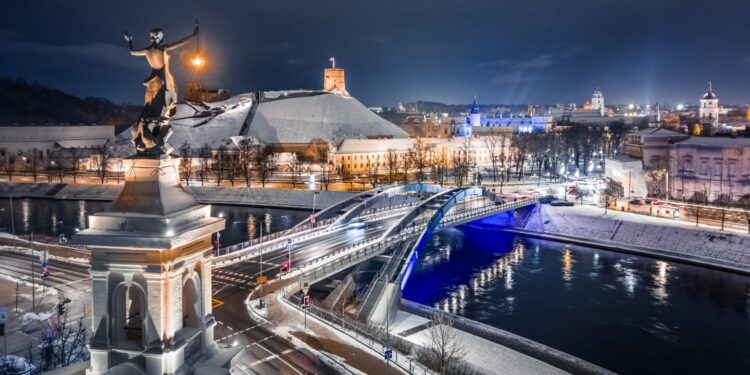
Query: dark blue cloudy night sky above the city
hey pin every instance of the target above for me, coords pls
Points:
(540, 51)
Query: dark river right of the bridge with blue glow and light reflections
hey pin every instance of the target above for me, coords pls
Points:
(629, 314)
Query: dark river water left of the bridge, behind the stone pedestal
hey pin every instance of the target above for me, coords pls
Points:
(49, 218)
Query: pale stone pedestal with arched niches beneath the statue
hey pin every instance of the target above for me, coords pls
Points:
(151, 260)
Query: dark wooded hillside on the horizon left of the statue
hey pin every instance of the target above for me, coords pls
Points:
(22, 103)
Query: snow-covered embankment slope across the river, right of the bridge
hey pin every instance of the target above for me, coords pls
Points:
(677, 237)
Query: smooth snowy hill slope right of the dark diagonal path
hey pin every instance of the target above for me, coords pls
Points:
(319, 117)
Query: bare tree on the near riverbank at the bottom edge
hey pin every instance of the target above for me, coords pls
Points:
(444, 348)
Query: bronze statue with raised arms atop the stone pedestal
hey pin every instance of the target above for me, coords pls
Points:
(152, 130)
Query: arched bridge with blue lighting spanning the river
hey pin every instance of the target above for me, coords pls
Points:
(371, 241)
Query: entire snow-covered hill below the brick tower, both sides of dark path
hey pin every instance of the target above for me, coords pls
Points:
(280, 117)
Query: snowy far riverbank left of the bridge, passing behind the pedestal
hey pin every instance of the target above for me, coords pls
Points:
(240, 196)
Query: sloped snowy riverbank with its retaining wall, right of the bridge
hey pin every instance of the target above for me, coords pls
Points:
(643, 235)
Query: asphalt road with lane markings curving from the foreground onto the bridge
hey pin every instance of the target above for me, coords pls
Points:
(266, 352)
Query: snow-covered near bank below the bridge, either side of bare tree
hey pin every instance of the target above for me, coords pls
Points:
(485, 355)
